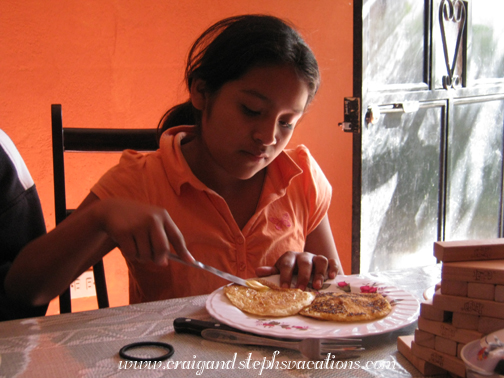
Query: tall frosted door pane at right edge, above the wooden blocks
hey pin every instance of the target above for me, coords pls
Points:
(475, 171)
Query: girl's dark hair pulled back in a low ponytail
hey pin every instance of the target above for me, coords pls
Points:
(229, 48)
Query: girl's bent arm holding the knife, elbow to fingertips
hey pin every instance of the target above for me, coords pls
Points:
(49, 264)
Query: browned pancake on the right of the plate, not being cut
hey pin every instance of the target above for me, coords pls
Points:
(348, 307)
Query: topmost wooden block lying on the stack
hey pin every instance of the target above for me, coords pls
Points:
(469, 250)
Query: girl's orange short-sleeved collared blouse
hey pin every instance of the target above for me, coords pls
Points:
(295, 198)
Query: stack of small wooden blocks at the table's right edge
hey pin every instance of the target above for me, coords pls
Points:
(467, 304)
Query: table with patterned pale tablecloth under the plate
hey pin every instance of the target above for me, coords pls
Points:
(86, 344)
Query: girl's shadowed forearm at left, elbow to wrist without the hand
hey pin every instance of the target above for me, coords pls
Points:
(47, 265)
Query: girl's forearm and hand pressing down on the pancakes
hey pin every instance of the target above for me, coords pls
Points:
(320, 259)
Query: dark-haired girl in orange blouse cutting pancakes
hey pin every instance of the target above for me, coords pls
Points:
(222, 191)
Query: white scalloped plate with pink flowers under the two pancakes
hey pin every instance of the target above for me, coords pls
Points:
(405, 309)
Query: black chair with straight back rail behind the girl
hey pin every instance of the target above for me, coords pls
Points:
(89, 140)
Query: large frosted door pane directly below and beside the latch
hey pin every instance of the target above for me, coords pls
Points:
(400, 183)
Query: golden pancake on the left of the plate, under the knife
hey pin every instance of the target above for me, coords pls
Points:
(276, 302)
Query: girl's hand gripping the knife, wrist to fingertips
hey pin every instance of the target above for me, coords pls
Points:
(142, 232)
